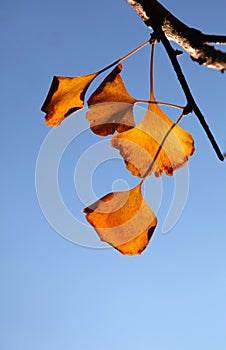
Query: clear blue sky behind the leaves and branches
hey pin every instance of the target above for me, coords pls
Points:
(56, 294)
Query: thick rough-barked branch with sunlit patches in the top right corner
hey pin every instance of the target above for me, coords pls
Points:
(190, 39)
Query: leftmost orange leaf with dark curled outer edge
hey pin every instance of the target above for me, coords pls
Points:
(66, 95)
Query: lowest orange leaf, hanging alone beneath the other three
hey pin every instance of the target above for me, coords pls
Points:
(124, 220)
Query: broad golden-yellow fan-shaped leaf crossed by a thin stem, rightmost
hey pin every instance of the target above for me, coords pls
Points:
(139, 146)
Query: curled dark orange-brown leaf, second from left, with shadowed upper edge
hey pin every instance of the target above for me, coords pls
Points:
(111, 106)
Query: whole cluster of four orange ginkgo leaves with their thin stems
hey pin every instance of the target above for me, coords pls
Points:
(156, 145)
